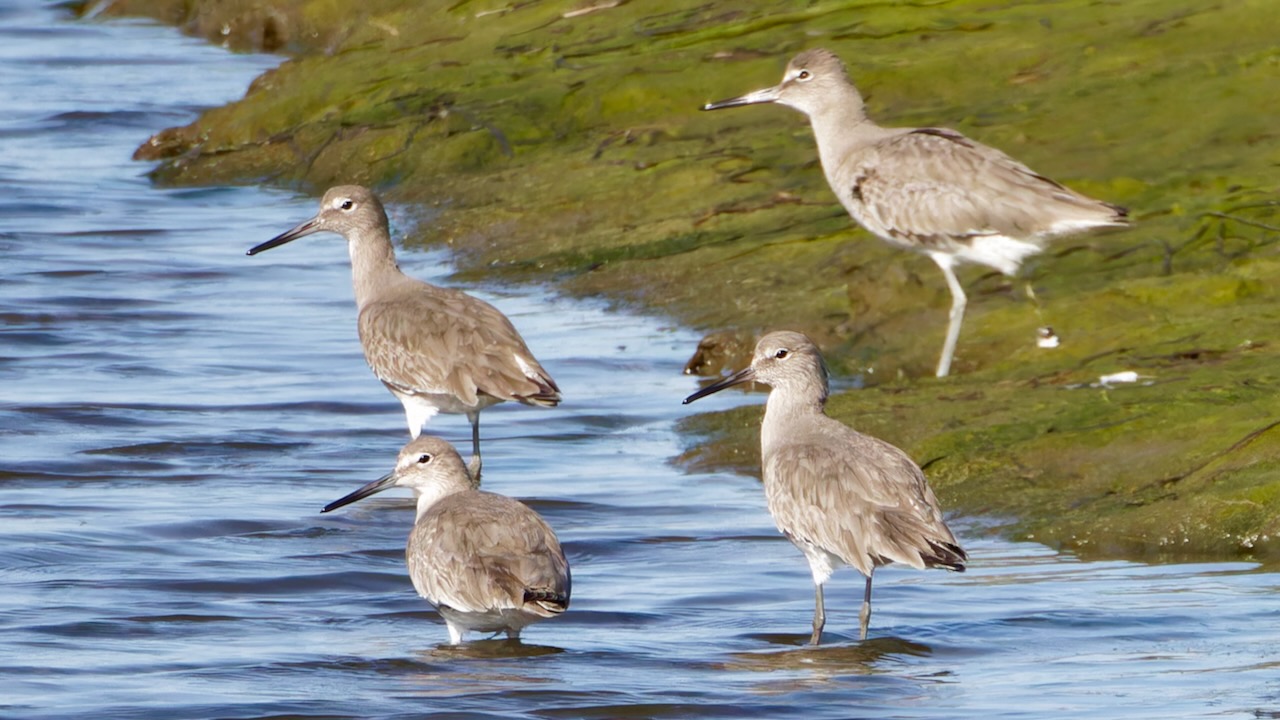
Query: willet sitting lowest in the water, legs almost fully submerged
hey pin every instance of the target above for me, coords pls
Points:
(486, 562)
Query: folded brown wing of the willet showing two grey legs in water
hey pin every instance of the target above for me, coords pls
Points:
(865, 502)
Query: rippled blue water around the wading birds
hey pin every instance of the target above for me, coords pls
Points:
(175, 414)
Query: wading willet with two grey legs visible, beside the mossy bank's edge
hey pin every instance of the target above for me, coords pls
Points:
(840, 496)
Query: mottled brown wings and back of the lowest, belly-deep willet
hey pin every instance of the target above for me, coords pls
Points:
(482, 552)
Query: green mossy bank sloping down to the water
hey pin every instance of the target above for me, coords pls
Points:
(561, 143)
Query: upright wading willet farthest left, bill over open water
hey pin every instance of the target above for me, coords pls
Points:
(437, 349)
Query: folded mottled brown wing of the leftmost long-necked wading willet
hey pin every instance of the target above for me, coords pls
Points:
(451, 343)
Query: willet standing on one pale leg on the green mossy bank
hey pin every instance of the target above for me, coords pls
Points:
(930, 190)
